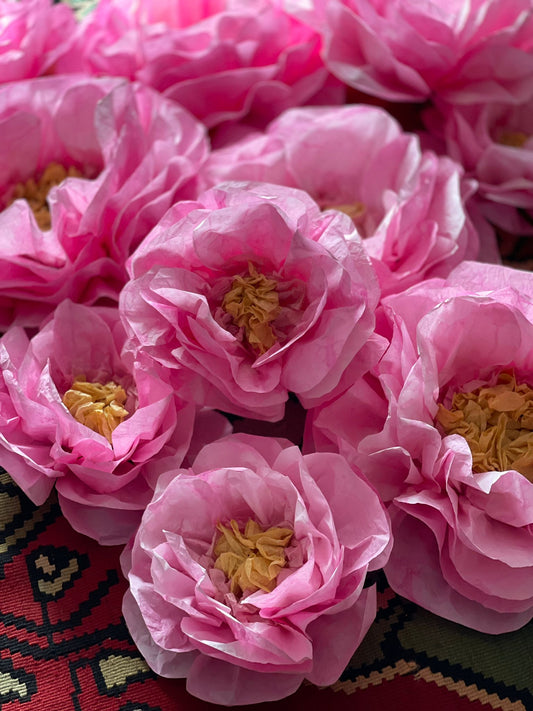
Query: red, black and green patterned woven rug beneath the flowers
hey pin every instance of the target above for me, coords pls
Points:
(64, 645)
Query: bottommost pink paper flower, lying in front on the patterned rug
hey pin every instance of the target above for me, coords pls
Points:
(238, 644)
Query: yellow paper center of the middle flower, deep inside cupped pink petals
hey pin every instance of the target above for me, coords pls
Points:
(253, 303)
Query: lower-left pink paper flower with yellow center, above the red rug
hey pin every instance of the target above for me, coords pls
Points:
(99, 473)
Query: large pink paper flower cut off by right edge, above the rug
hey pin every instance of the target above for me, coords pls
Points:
(462, 522)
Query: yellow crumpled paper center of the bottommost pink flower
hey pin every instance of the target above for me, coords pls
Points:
(253, 559)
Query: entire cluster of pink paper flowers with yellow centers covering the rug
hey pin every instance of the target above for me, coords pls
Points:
(213, 210)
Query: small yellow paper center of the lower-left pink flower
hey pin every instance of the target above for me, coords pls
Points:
(97, 406)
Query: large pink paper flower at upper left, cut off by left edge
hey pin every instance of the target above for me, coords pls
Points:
(87, 167)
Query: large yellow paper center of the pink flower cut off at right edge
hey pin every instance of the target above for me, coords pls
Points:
(497, 423)
